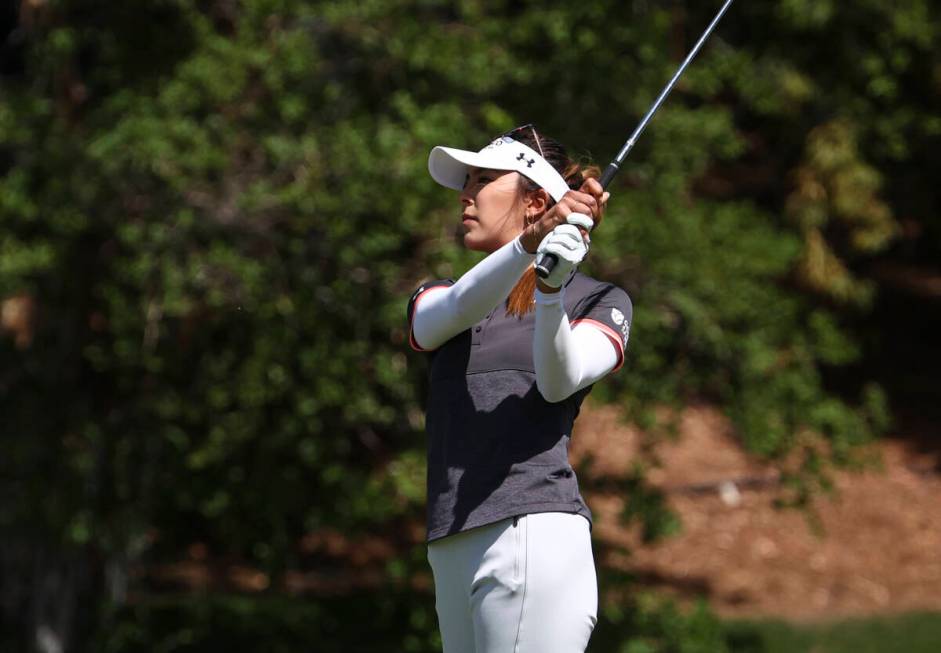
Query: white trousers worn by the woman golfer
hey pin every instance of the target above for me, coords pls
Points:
(520, 585)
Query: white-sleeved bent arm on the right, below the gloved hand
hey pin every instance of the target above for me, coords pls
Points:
(569, 358)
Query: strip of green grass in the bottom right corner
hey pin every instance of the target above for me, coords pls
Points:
(918, 632)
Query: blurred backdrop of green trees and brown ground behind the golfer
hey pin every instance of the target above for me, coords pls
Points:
(213, 212)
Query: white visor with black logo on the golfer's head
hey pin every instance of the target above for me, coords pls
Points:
(449, 166)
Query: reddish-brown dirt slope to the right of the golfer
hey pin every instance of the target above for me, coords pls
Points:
(879, 552)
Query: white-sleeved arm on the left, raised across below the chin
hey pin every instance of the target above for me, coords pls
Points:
(441, 312)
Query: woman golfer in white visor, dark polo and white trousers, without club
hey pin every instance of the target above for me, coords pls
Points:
(512, 358)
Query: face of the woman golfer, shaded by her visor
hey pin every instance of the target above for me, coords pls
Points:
(493, 214)
